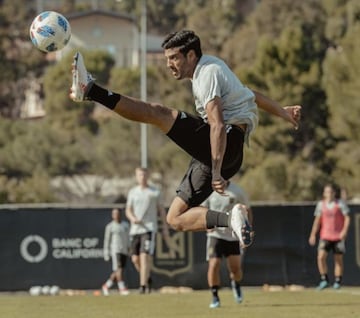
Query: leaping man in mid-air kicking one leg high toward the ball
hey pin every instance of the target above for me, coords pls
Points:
(227, 115)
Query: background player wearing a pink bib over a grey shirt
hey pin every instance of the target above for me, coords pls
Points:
(333, 220)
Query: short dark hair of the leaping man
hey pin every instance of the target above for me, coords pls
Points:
(185, 40)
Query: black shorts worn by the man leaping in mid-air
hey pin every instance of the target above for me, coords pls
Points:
(192, 134)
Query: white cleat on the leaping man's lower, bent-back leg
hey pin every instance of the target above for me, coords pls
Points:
(240, 225)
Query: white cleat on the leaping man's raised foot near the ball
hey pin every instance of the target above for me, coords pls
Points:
(82, 80)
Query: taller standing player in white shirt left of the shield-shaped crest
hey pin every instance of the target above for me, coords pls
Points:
(143, 206)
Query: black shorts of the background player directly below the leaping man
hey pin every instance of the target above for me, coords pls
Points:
(219, 248)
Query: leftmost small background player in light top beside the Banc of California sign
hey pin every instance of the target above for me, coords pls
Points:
(116, 248)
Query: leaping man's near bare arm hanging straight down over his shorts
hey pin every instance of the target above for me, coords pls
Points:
(217, 142)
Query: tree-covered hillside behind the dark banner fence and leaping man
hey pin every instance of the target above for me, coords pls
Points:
(297, 52)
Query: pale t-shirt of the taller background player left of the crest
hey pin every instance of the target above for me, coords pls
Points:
(144, 203)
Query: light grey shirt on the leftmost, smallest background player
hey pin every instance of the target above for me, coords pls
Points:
(116, 238)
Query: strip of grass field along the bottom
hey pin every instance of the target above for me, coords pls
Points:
(257, 303)
